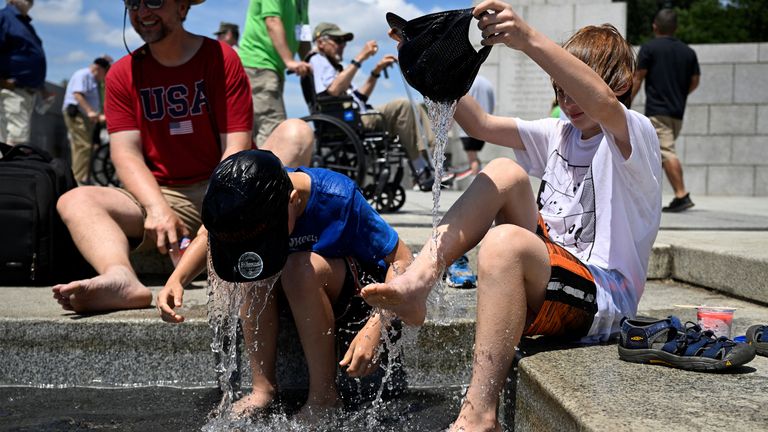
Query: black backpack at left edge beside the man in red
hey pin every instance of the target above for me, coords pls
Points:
(35, 246)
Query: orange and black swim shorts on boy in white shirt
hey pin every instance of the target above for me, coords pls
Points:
(570, 303)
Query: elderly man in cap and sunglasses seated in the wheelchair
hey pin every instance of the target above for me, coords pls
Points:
(397, 117)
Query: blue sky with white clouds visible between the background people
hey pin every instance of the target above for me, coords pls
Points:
(74, 32)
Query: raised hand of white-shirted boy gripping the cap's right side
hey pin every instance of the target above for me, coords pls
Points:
(500, 24)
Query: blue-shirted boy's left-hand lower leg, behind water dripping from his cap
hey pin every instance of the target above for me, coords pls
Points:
(259, 316)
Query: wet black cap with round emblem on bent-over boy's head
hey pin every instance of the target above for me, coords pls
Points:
(245, 211)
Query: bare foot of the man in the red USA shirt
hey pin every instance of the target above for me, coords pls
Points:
(118, 288)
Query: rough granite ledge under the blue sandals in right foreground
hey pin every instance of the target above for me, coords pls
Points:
(591, 389)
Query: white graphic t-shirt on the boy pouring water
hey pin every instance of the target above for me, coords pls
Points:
(603, 209)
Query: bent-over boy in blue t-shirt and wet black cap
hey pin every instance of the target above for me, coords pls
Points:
(309, 227)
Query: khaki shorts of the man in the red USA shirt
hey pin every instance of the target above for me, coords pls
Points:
(186, 202)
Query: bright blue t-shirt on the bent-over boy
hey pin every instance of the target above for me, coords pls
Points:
(338, 221)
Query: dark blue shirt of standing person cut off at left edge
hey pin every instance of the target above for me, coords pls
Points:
(21, 50)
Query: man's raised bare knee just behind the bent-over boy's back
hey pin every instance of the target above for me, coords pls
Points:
(292, 142)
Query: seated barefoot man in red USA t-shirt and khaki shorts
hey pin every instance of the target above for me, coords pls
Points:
(175, 107)
